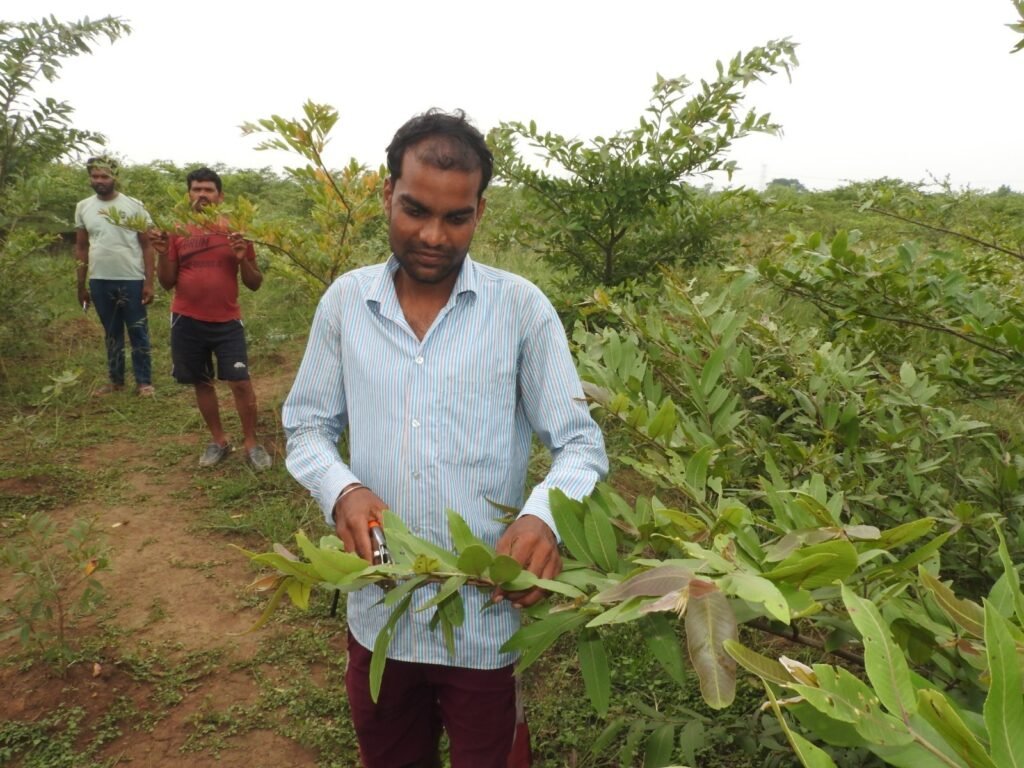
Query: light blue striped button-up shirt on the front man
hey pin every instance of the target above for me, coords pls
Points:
(443, 423)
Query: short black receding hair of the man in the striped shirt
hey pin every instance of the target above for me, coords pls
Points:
(449, 142)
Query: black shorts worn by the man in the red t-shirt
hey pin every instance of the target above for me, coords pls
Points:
(195, 345)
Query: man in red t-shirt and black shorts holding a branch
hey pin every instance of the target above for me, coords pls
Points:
(203, 268)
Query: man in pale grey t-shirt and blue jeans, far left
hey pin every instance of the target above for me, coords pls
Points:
(119, 265)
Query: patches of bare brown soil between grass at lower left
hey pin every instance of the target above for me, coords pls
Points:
(159, 562)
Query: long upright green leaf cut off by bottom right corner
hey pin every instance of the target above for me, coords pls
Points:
(1005, 704)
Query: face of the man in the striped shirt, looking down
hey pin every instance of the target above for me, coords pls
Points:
(433, 216)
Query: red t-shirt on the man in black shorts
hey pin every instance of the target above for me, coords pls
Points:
(208, 277)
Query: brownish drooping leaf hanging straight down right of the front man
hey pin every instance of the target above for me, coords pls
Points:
(710, 623)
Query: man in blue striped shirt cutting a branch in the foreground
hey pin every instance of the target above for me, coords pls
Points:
(442, 370)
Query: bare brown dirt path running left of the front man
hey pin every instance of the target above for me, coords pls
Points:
(176, 652)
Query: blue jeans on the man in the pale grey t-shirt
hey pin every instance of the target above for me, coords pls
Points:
(119, 305)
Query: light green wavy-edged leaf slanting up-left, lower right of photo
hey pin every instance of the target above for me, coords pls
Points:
(884, 660)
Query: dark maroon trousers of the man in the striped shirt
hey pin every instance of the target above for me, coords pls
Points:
(478, 708)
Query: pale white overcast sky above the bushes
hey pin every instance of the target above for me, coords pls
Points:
(901, 89)
